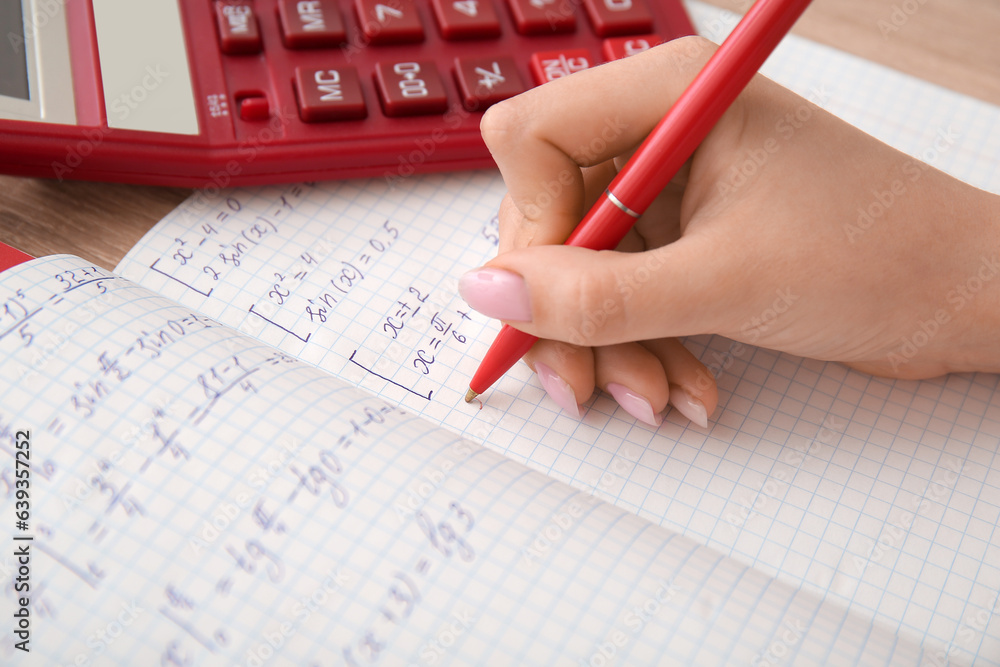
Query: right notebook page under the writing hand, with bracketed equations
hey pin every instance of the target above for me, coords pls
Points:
(881, 494)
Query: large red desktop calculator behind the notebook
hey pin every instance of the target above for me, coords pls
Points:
(204, 93)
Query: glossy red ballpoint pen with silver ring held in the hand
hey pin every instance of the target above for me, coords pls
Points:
(661, 155)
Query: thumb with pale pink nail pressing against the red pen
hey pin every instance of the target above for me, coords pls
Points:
(595, 298)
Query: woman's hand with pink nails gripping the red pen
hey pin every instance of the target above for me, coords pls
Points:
(787, 229)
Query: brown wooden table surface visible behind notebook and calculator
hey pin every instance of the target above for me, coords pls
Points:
(953, 43)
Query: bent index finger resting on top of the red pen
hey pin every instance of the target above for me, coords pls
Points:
(542, 138)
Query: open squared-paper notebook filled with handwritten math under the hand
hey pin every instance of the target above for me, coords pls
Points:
(249, 445)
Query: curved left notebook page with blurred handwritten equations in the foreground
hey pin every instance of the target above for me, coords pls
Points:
(199, 498)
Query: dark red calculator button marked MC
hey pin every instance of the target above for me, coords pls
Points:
(329, 94)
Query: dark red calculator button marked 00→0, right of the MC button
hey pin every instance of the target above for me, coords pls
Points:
(410, 88)
